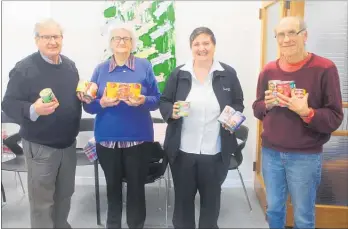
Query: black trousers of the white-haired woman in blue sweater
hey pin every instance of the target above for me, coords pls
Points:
(132, 164)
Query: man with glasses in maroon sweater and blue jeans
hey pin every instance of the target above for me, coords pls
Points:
(294, 134)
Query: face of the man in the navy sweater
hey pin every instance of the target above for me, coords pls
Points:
(49, 40)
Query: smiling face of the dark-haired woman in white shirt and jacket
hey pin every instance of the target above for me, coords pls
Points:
(203, 48)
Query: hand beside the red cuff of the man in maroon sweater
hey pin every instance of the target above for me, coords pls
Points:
(297, 105)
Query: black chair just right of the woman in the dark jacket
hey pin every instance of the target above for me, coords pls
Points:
(237, 157)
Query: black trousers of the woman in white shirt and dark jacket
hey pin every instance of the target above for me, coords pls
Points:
(192, 172)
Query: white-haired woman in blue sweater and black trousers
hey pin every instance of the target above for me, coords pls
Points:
(123, 128)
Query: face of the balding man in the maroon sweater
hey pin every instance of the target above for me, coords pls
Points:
(291, 40)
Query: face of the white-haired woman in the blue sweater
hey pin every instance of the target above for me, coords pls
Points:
(121, 41)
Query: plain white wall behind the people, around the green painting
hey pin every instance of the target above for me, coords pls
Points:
(235, 24)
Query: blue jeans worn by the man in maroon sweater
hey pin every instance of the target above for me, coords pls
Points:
(296, 173)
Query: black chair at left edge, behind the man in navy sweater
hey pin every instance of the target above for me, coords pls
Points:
(17, 164)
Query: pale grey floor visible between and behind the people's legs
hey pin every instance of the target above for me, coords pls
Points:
(234, 211)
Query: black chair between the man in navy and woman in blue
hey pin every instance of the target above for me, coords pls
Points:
(87, 125)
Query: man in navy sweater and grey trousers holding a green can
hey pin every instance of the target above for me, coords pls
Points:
(48, 130)
